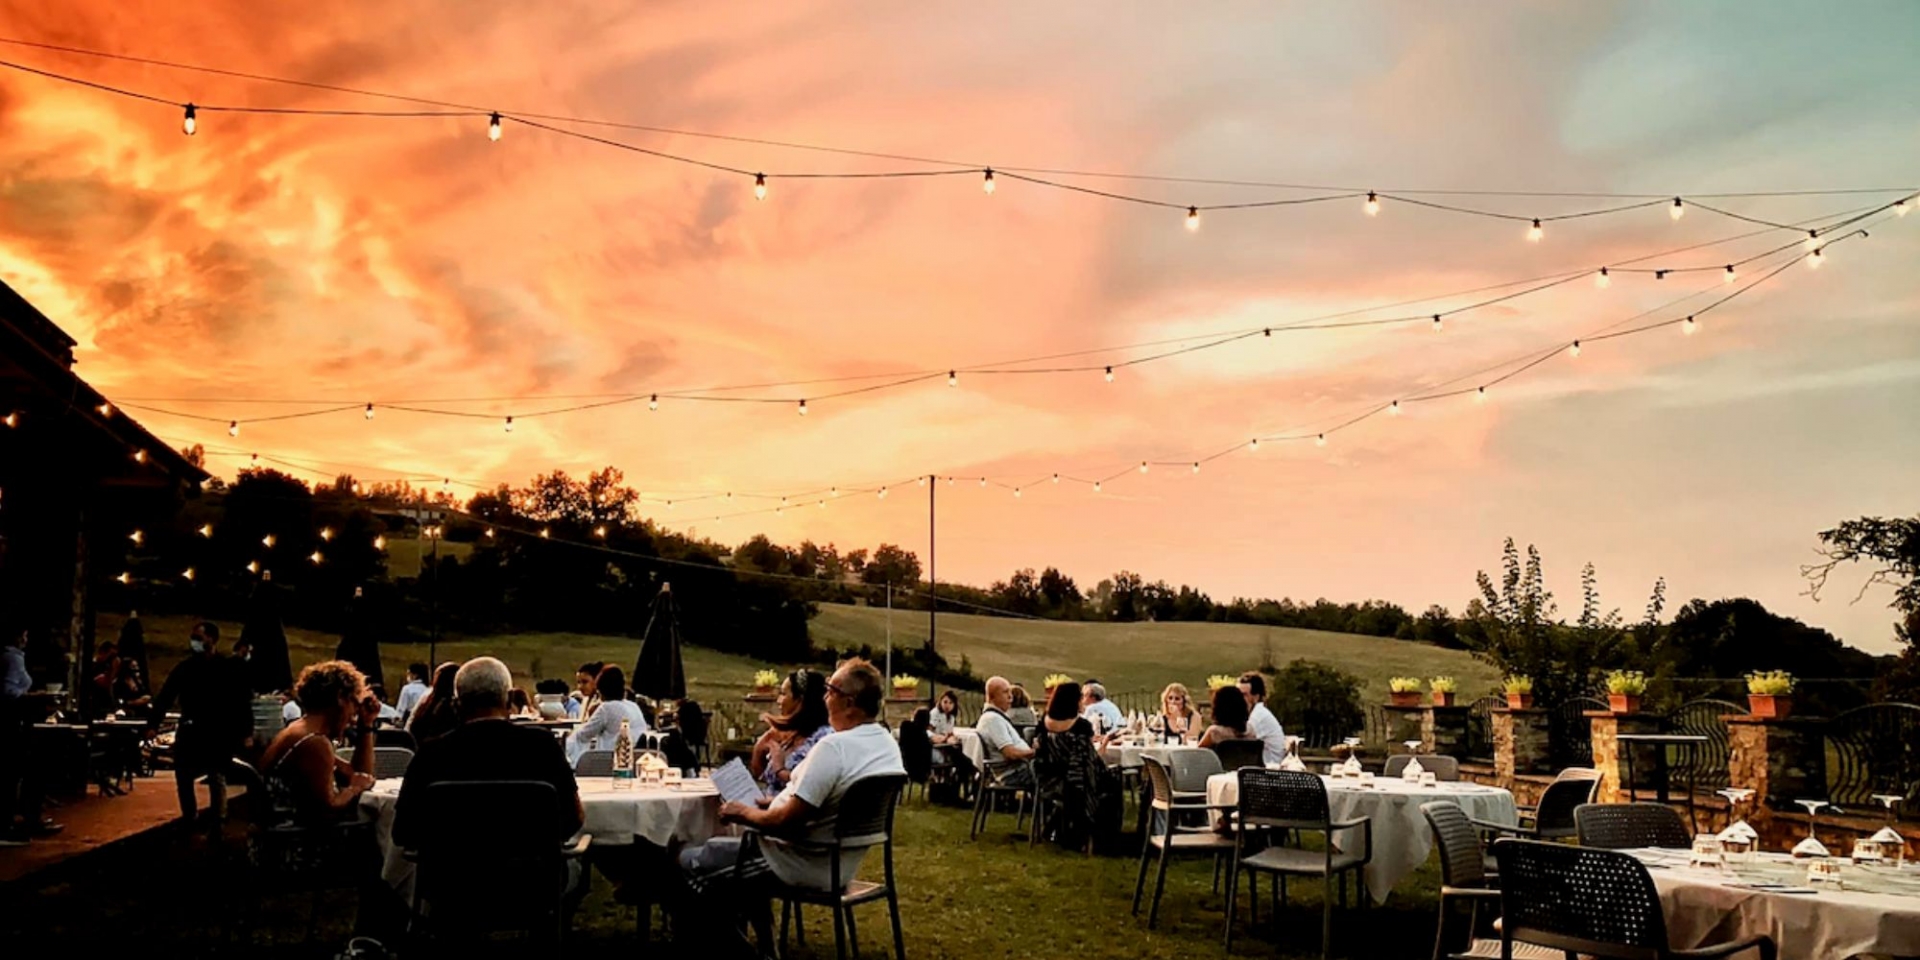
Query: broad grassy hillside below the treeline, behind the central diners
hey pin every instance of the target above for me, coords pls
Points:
(1147, 656)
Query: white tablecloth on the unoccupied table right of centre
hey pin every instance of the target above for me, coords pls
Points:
(1401, 834)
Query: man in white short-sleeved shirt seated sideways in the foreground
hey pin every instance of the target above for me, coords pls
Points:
(725, 882)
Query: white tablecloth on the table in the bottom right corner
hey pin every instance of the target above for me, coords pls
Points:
(1704, 907)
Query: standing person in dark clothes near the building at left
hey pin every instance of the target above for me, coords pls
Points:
(216, 719)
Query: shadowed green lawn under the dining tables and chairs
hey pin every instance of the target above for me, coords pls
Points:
(961, 900)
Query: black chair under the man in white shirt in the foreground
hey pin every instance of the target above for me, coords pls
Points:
(861, 823)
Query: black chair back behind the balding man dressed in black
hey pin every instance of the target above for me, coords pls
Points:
(462, 886)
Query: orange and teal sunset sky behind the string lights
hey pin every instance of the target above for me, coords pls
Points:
(350, 260)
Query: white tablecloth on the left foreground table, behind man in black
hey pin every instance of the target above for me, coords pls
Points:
(660, 815)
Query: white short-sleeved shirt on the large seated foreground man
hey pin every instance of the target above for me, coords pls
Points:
(834, 765)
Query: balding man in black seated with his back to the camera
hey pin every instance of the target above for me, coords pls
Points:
(487, 746)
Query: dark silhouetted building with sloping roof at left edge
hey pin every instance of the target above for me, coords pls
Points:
(76, 479)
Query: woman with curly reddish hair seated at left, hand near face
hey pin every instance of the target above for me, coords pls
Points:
(304, 779)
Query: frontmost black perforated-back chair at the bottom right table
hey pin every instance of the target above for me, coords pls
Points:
(1587, 901)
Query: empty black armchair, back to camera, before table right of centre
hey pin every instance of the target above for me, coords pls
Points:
(1289, 800)
